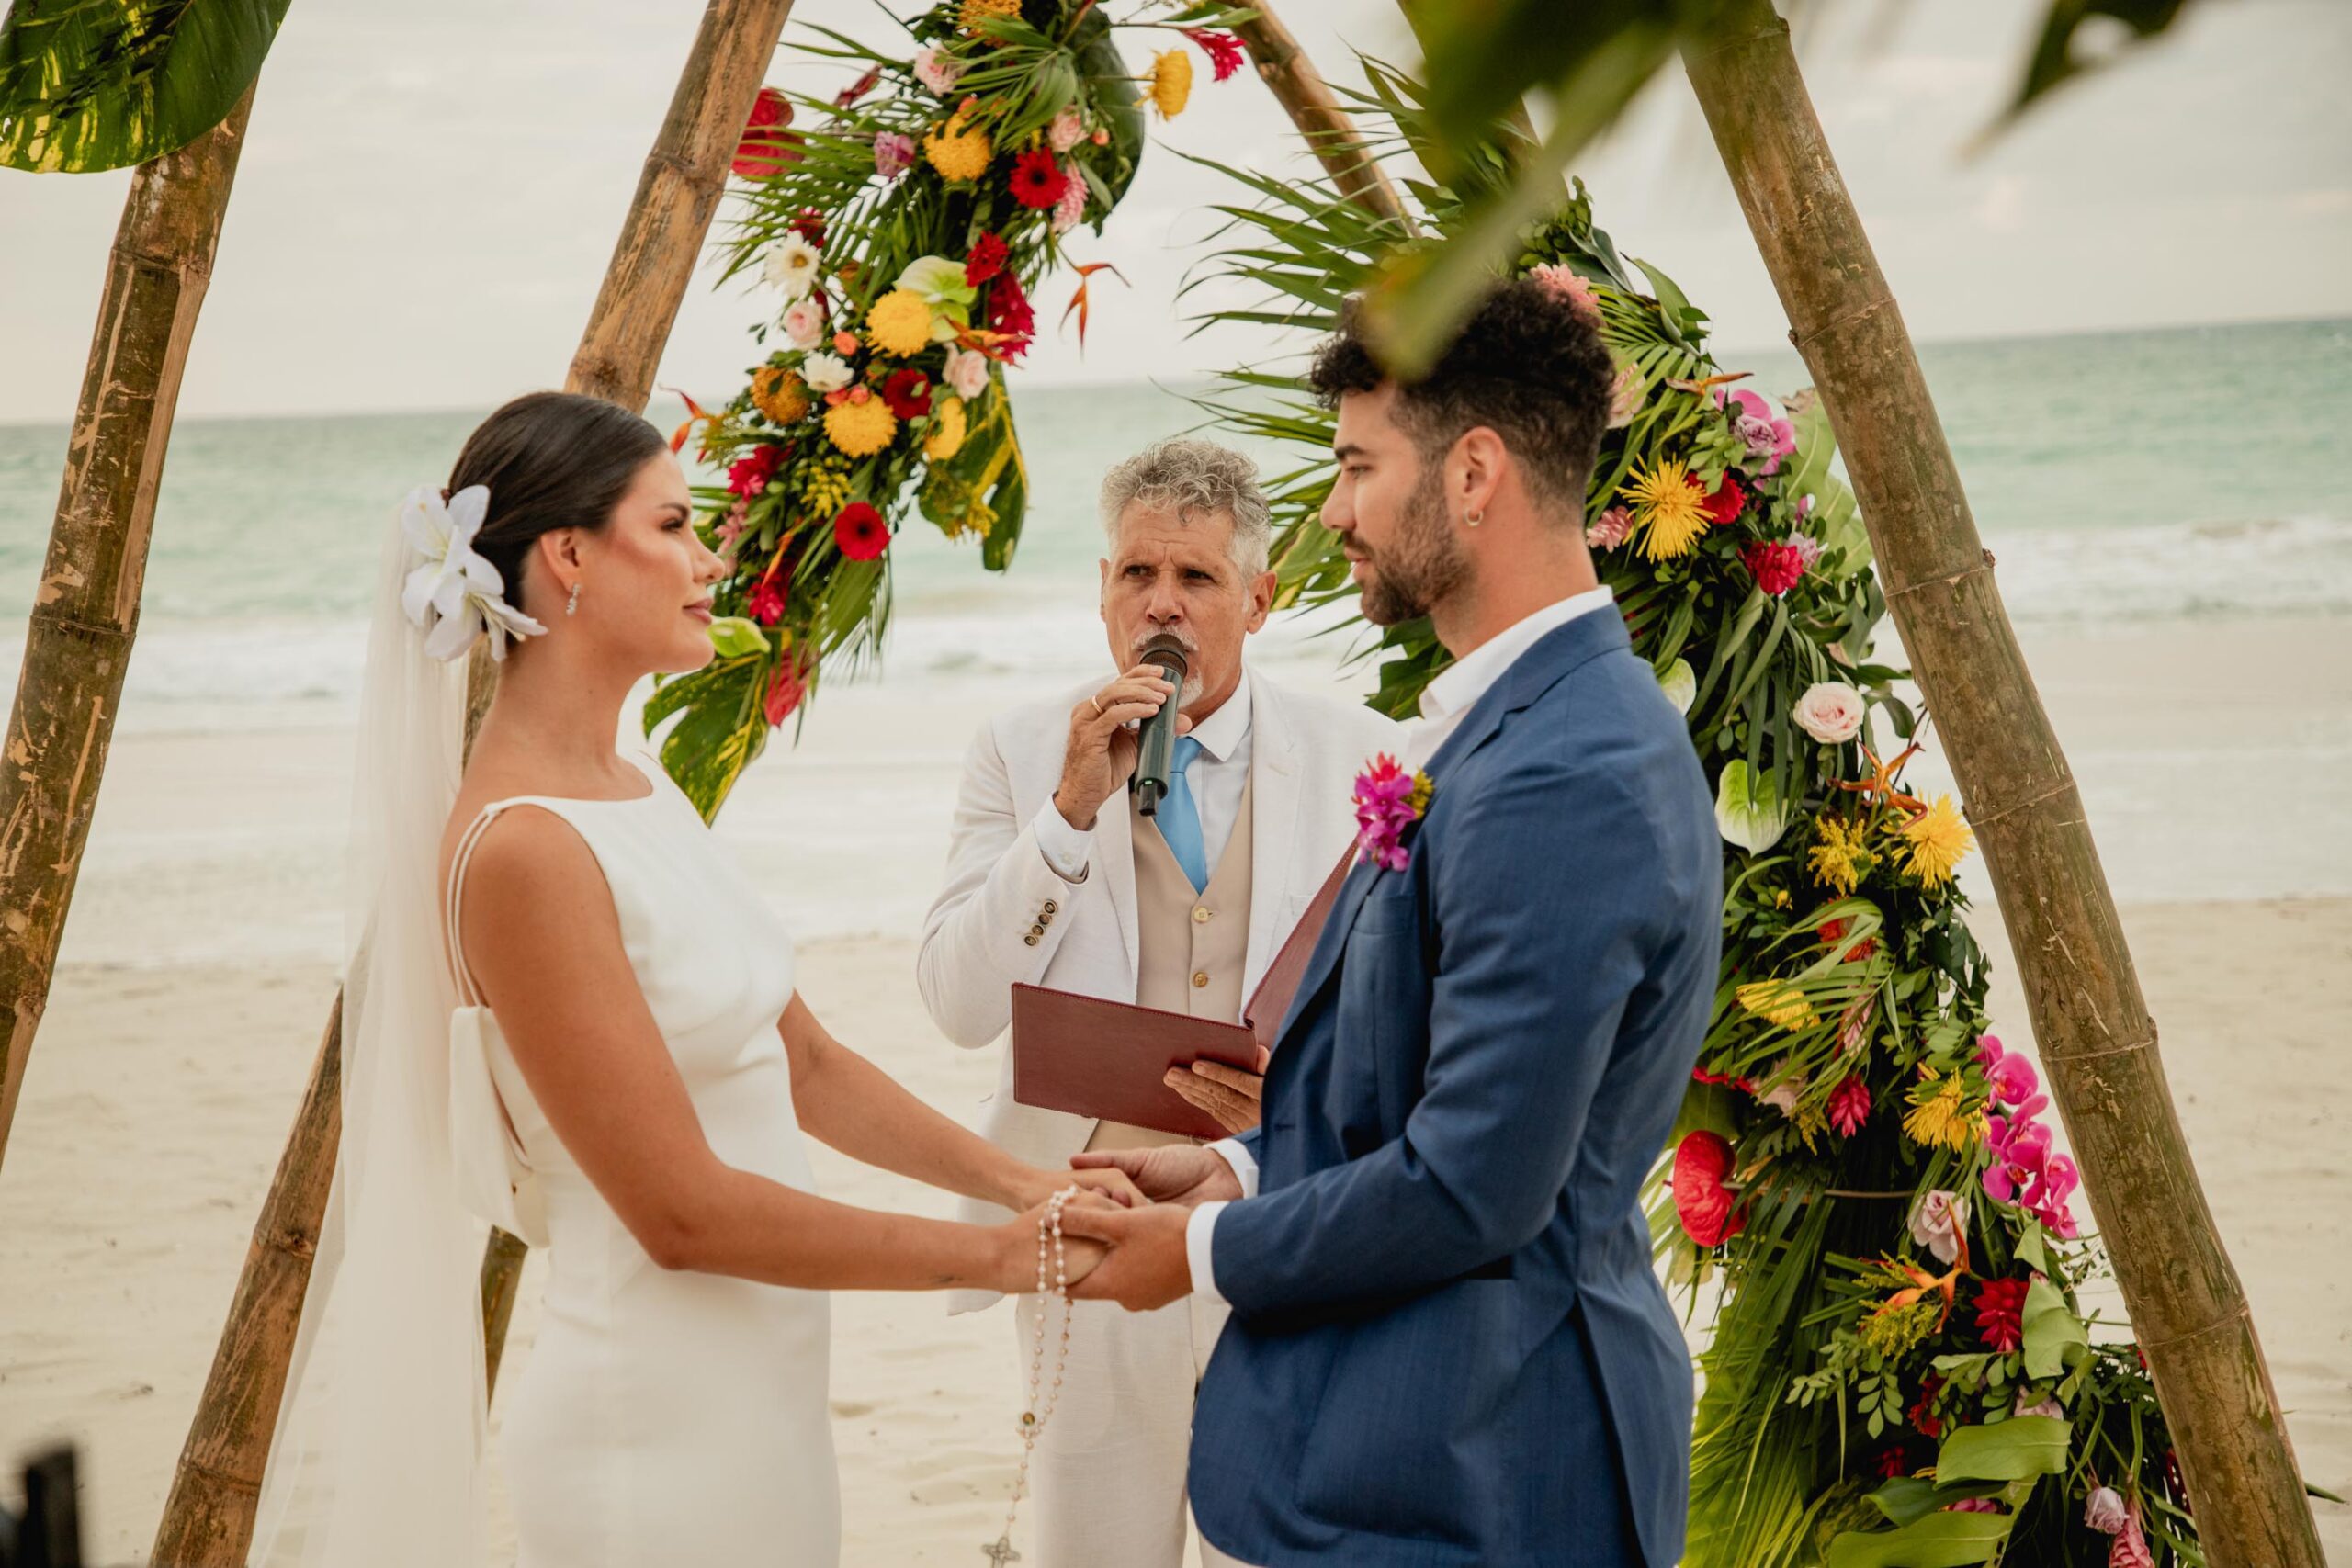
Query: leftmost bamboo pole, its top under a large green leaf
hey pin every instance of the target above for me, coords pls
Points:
(86, 610)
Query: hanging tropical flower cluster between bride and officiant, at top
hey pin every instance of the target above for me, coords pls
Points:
(904, 234)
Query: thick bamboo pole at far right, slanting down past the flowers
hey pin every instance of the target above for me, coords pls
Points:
(2099, 1045)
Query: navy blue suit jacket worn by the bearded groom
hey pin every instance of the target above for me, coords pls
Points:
(1448, 1343)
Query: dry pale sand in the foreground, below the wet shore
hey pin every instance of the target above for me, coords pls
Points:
(154, 1120)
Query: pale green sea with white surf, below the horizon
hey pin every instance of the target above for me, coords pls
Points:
(2120, 478)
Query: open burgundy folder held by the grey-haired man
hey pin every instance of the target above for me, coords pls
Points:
(1107, 1059)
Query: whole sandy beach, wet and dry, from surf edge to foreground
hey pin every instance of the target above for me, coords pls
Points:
(199, 972)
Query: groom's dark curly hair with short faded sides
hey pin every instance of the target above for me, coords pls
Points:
(1523, 366)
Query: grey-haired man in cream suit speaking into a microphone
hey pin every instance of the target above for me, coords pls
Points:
(1055, 878)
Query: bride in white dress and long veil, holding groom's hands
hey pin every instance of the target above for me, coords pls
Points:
(577, 1019)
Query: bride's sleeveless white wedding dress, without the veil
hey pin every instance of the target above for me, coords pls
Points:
(671, 1416)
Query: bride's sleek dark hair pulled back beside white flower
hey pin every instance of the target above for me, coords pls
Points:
(552, 462)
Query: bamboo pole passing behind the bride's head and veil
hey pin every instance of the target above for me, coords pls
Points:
(211, 1515)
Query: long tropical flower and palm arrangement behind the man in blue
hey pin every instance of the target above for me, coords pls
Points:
(1864, 1184)
